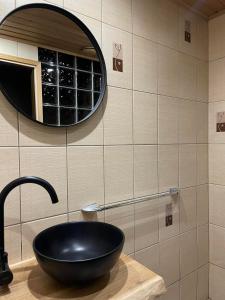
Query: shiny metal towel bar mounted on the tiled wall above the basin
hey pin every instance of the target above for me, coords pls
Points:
(96, 207)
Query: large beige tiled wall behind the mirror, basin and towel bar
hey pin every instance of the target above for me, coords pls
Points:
(150, 134)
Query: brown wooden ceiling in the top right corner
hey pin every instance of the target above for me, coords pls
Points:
(206, 7)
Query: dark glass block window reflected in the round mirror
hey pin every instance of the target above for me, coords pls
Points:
(71, 87)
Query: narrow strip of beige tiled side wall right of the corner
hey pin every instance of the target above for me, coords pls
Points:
(216, 157)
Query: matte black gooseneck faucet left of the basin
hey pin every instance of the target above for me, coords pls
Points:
(6, 275)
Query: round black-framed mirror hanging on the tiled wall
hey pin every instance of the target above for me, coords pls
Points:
(65, 83)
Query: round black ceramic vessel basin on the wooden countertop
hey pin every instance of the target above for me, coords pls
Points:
(79, 251)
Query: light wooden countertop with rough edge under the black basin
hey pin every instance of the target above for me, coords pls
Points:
(127, 280)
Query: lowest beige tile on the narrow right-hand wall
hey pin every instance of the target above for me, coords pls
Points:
(217, 282)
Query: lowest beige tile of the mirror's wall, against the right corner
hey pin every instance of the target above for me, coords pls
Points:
(203, 283)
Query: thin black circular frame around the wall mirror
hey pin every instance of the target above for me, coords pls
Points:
(94, 42)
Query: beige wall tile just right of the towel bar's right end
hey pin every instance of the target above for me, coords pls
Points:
(188, 209)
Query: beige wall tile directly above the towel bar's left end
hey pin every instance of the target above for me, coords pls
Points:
(85, 176)
